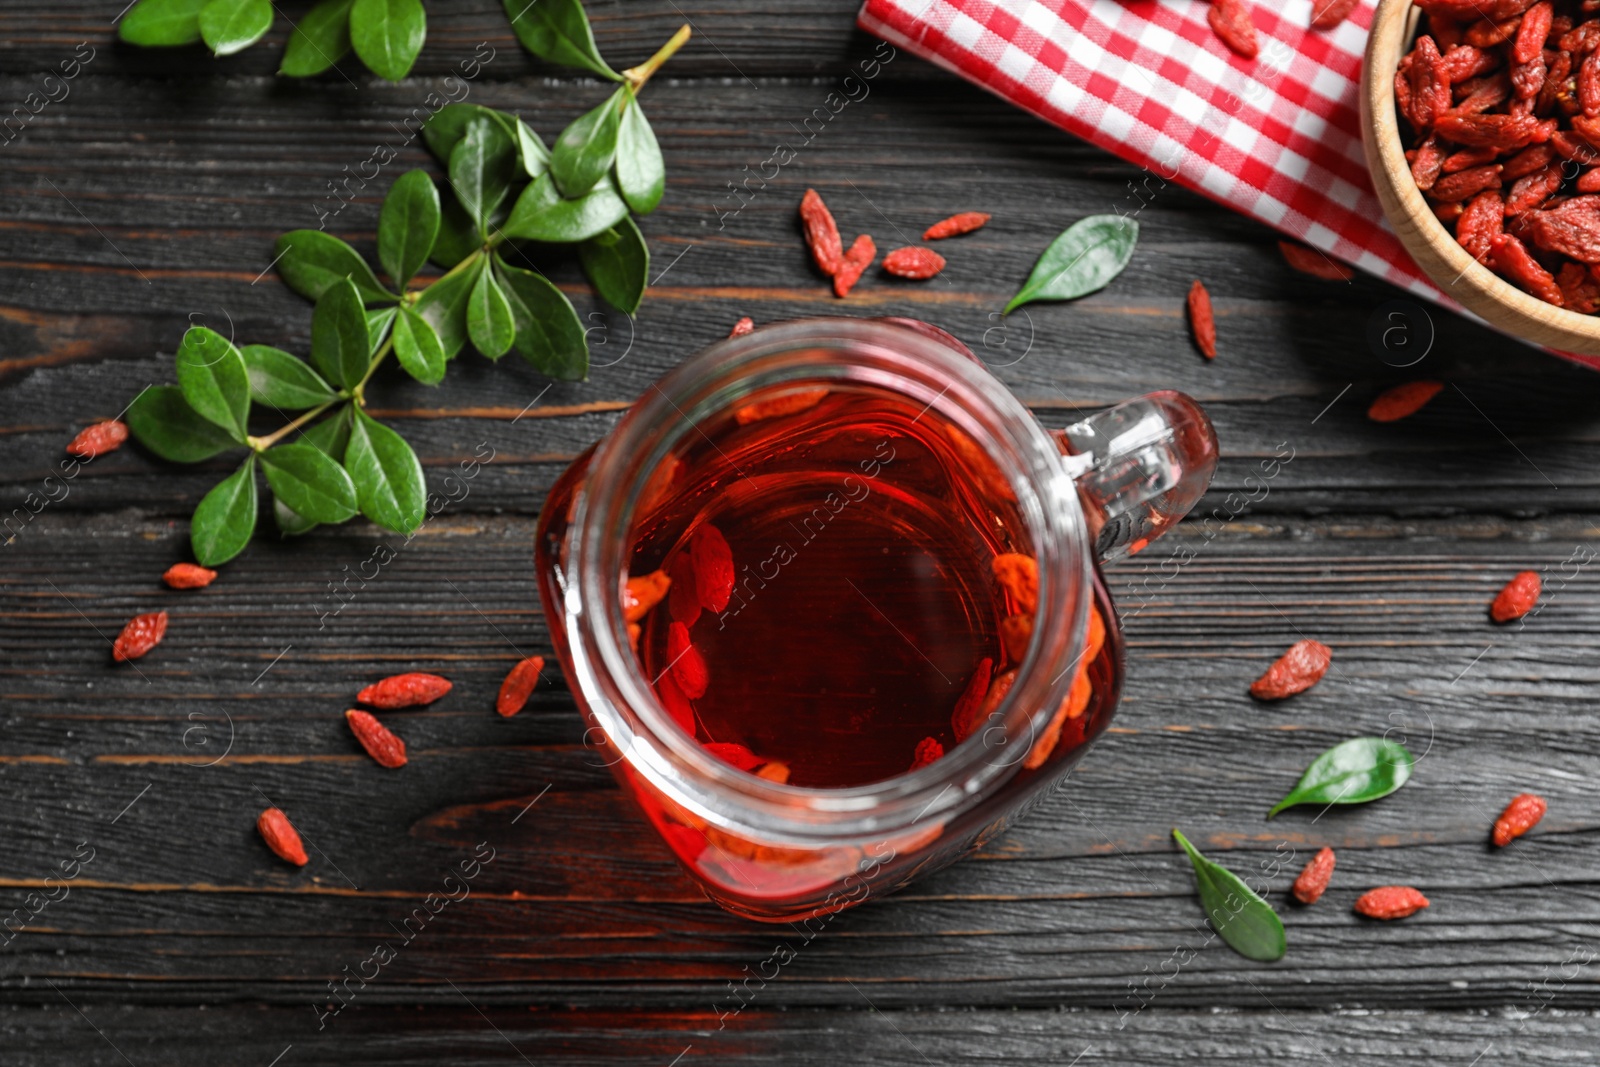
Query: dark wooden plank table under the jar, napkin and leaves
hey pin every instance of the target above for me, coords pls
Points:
(151, 196)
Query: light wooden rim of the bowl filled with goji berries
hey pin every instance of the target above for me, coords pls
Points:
(1434, 249)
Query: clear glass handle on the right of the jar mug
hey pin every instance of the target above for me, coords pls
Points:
(1140, 468)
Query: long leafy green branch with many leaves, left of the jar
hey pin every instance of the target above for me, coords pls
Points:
(334, 460)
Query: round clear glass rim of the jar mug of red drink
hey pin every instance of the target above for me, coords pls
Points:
(926, 370)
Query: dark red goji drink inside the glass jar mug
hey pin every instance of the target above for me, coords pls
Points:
(860, 530)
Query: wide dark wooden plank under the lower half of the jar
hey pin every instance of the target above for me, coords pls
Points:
(583, 906)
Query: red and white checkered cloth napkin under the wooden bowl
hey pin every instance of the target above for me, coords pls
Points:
(1278, 137)
